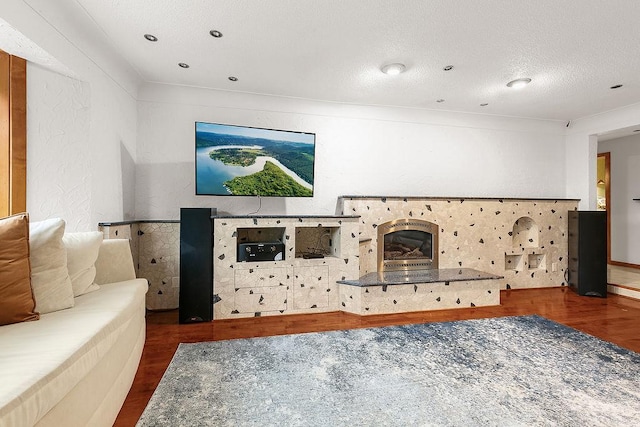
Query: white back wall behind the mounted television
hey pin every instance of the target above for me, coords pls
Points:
(359, 151)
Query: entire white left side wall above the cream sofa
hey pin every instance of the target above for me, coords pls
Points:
(81, 127)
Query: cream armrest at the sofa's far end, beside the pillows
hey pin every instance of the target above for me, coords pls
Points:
(114, 263)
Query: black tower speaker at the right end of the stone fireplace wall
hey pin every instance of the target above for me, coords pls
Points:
(588, 252)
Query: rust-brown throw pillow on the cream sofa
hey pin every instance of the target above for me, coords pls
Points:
(16, 297)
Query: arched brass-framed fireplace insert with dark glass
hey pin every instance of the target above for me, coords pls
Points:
(407, 244)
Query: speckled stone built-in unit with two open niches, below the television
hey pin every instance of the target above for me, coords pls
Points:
(283, 264)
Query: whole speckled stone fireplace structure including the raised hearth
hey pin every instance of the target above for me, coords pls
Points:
(483, 245)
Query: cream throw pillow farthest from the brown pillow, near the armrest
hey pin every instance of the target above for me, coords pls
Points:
(82, 252)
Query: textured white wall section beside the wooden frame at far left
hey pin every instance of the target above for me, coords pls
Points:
(58, 155)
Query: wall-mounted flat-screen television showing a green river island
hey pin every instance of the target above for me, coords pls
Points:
(245, 161)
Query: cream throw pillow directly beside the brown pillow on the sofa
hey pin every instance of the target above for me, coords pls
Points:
(50, 281)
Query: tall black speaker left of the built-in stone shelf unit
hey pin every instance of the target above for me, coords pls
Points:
(196, 265)
